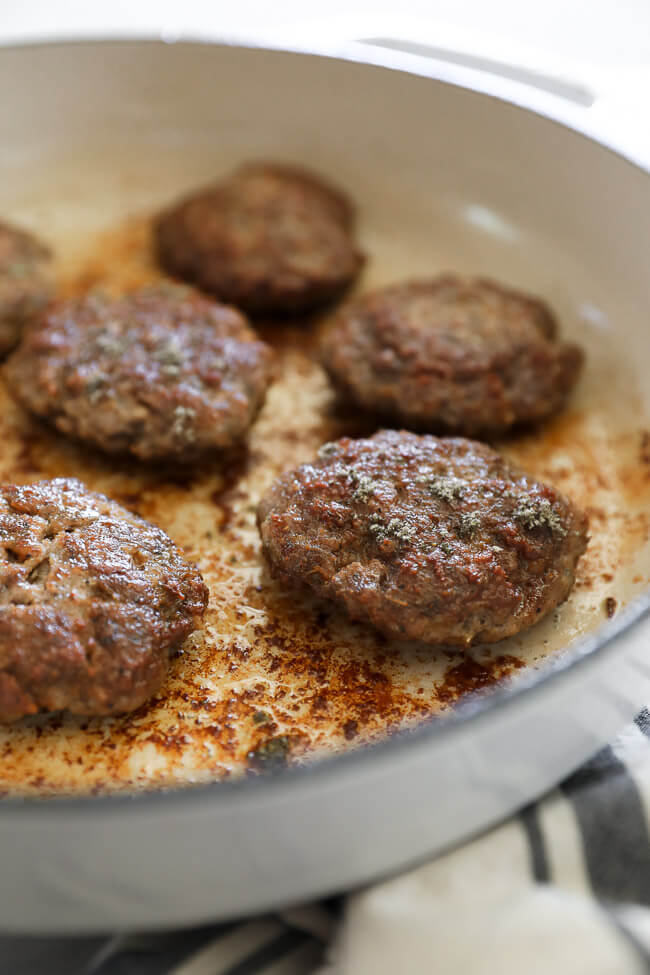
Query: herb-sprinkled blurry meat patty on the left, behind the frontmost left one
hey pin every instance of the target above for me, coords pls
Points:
(162, 373)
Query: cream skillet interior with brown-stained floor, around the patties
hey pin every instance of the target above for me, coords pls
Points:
(267, 662)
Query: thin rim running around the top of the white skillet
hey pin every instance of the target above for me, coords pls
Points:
(579, 655)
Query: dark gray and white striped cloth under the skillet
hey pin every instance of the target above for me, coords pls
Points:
(564, 887)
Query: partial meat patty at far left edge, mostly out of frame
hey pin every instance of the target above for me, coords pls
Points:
(25, 282)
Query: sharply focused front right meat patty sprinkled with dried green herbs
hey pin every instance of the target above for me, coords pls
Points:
(439, 540)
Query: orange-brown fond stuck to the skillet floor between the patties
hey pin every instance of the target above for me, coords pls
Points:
(272, 664)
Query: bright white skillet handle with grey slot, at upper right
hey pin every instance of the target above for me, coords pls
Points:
(608, 101)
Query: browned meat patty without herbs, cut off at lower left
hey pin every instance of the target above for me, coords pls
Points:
(92, 601)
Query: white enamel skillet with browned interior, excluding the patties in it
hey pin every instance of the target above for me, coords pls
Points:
(148, 821)
